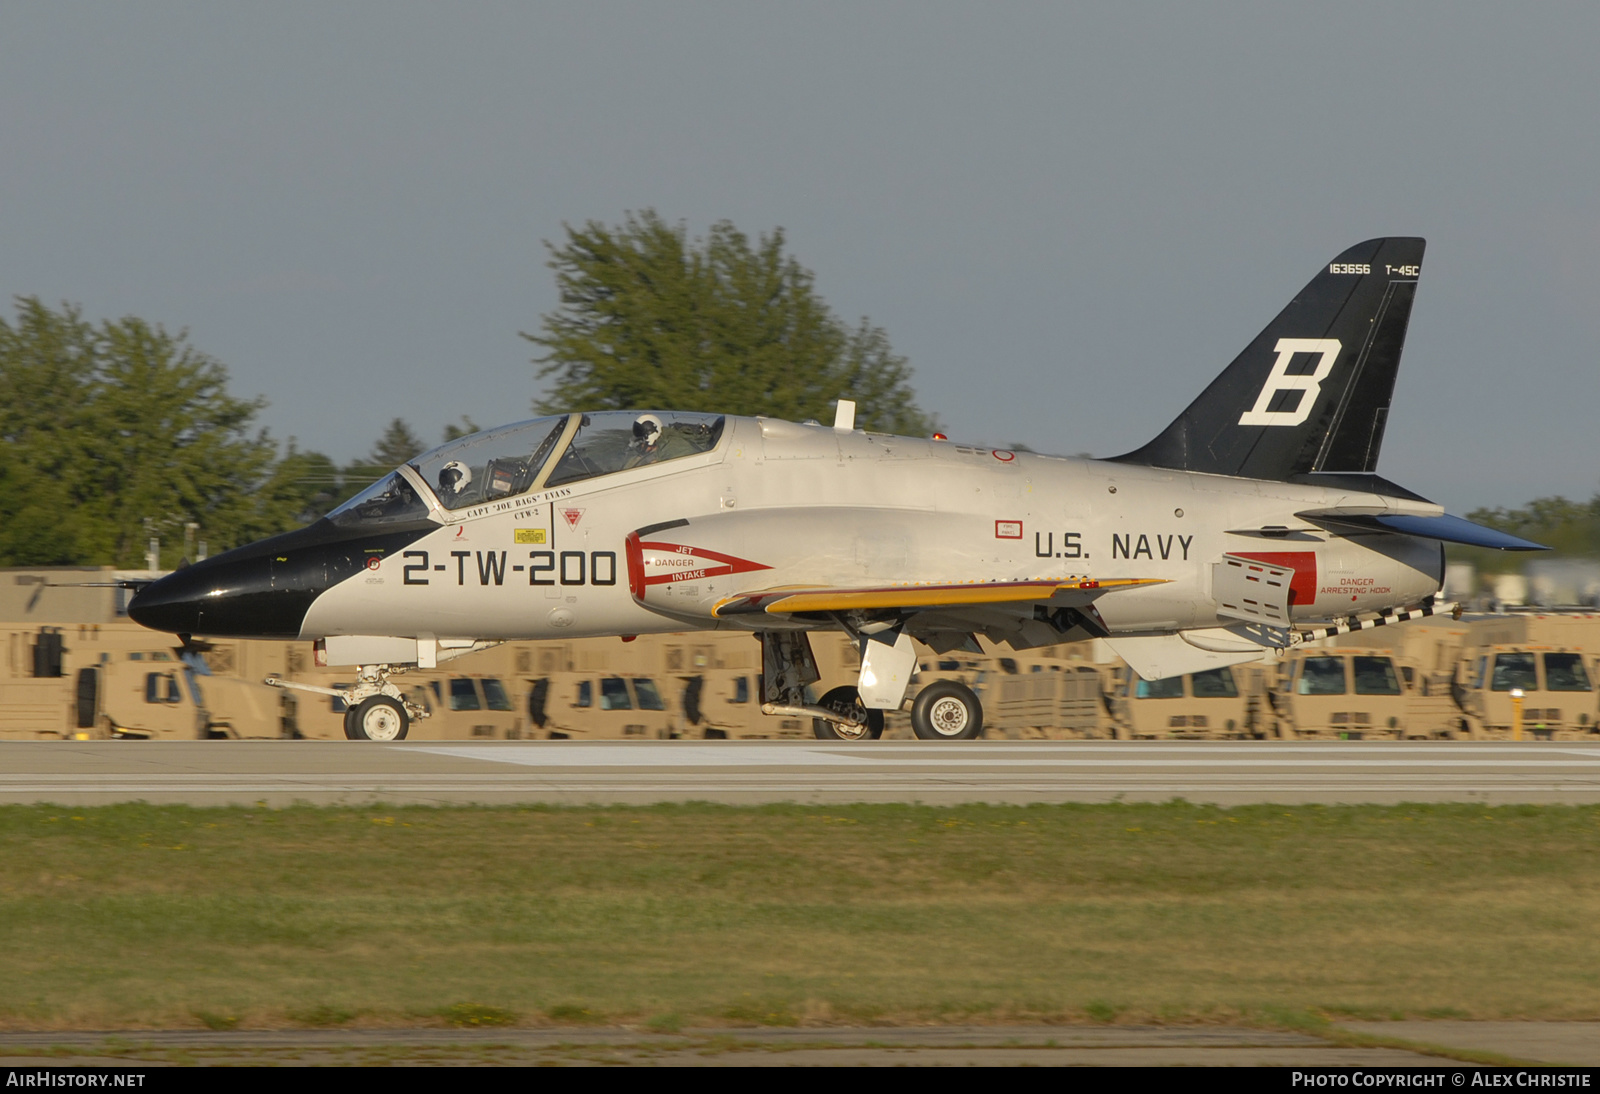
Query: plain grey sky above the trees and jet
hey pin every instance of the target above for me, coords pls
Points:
(1068, 217)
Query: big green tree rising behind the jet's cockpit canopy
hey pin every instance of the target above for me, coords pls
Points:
(652, 319)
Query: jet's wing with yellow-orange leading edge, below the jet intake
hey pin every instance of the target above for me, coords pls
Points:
(799, 599)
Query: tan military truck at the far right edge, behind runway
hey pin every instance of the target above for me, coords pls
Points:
(1554, 687)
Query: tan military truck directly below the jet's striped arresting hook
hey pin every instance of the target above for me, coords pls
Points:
(1353, 695)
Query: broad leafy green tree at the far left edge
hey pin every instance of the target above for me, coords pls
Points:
(116, 431)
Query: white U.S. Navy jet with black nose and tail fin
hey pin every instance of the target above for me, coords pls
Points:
(1250, 524)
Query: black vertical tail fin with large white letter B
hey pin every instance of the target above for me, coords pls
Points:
(1311, 394)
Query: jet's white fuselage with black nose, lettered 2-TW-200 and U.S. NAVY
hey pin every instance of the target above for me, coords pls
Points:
(770, 505)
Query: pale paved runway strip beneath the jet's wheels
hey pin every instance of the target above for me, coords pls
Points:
(279, 773)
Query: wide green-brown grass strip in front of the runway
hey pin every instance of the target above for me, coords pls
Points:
(681, 917)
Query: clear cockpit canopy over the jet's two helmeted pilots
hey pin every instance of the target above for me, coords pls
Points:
(516, 460)
